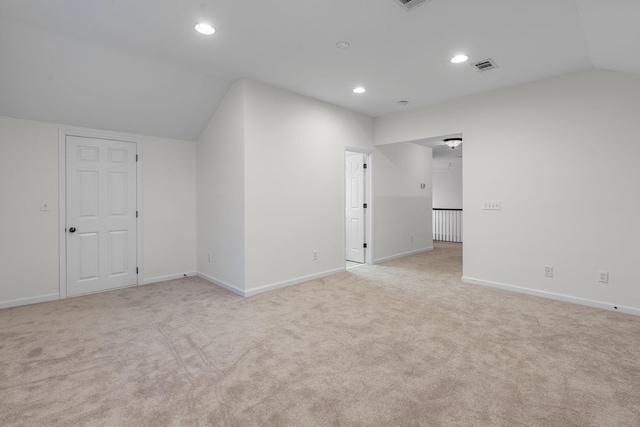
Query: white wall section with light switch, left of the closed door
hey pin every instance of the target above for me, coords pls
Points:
(28, 236)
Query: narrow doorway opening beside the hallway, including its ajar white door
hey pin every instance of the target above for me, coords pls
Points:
(357, 207)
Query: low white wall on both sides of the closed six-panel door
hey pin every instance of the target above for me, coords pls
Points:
(29, 237)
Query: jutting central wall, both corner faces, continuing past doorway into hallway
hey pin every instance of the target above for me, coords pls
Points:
(285, 198)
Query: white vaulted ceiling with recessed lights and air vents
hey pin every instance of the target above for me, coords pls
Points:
(138, 66)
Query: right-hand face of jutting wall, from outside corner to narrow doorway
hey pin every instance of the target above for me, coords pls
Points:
(294, 182)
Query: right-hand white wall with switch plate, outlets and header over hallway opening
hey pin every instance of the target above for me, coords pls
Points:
(561, 154)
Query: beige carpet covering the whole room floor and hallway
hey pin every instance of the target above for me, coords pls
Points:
(400, 344)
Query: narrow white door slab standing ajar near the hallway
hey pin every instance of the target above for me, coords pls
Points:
(355, 207)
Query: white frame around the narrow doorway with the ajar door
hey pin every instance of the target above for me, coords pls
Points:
(368, 197)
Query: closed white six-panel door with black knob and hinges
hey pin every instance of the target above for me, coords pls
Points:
(101, 235)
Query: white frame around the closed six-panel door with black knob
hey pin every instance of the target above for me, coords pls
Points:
(62, 200)
